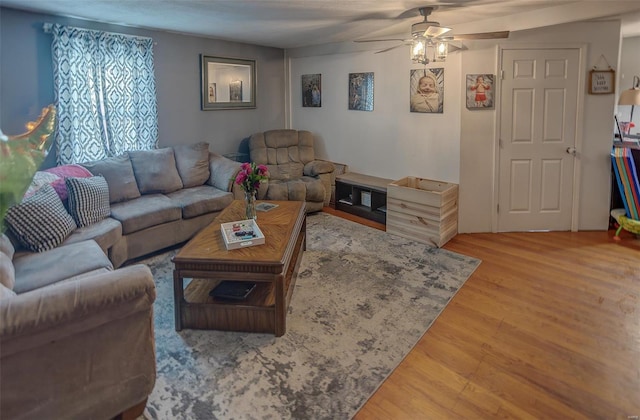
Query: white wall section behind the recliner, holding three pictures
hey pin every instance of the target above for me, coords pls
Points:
(389, 142)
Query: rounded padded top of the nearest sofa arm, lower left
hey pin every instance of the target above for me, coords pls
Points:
(49, 314)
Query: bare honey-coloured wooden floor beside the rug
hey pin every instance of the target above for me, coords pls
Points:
(547, 327)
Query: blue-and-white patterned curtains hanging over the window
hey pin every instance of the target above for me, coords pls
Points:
(105, 93)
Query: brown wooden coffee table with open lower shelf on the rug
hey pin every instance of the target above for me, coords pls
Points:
(273, 266)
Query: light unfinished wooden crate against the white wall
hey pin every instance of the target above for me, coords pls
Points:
(422, 210)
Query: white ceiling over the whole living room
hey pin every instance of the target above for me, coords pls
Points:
(302, 23)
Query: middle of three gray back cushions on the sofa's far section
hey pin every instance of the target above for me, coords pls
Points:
(155, 170)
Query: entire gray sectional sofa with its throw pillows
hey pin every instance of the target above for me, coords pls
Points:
(76, 335)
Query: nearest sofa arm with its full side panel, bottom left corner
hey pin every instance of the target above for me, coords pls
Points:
(79, 349)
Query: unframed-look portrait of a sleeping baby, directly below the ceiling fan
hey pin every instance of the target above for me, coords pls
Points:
(427, 90)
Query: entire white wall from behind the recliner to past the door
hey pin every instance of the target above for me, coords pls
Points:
(458, 145)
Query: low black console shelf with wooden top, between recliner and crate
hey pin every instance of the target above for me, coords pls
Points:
(362, 195)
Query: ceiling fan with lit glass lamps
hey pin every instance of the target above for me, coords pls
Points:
(429, 37)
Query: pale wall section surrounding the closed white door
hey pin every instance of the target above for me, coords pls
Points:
(477, 206)
